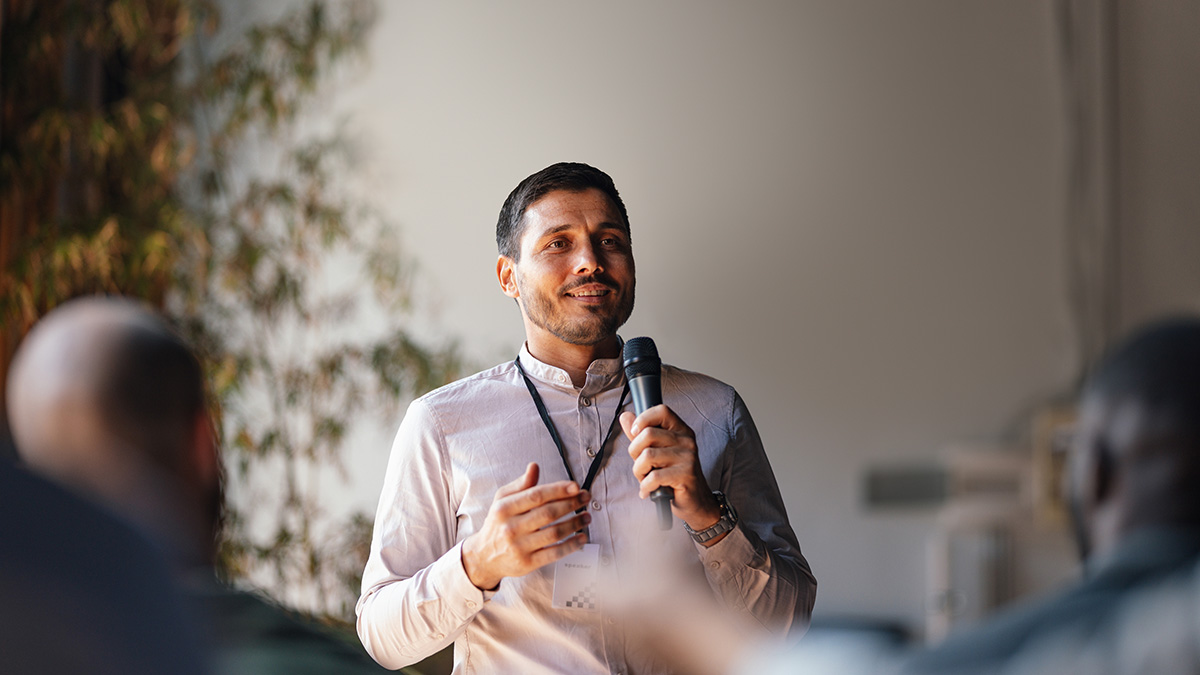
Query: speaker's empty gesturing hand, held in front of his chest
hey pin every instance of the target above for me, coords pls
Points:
(521, 533)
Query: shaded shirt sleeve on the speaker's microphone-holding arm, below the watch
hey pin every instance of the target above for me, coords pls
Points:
(758, 569)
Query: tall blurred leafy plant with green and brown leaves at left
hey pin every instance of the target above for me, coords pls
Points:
(140, 158)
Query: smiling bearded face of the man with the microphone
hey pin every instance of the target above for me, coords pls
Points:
(575, 279)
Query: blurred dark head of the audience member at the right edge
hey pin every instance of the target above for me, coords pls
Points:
(1136, 461)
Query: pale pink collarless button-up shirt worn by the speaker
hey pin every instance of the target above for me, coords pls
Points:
(460, 444)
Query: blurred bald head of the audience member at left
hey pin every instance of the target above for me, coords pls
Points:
(109, 401)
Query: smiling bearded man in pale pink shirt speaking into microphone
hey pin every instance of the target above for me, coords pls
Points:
(489, 518)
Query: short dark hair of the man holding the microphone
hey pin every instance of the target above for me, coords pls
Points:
(573, 177)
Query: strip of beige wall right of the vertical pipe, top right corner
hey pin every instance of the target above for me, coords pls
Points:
(1159, 118)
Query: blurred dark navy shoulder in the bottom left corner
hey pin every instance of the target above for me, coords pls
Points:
(82, 593)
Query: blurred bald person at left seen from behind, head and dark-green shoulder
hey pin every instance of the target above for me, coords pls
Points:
(106, 399)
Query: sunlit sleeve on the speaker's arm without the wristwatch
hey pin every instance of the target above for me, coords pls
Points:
(417, 598)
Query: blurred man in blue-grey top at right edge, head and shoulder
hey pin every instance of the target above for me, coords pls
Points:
(1136, 467)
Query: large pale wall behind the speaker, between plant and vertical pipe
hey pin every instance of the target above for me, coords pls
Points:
(850, 212)
